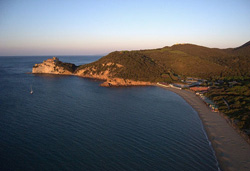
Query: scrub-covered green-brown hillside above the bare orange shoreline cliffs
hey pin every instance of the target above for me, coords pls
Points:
(183, 60)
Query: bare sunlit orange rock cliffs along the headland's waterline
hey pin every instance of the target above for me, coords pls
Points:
(54, 66)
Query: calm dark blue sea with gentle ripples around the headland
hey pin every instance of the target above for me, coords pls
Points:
(72, 123)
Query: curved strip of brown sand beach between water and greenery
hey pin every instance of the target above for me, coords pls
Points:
(231, 150)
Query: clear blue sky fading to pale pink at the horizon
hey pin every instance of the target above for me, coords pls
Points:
(91, 27)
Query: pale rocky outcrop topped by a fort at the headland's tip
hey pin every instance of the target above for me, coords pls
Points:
(54, 66)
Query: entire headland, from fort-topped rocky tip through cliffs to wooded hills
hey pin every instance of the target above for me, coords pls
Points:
(167, 64)
